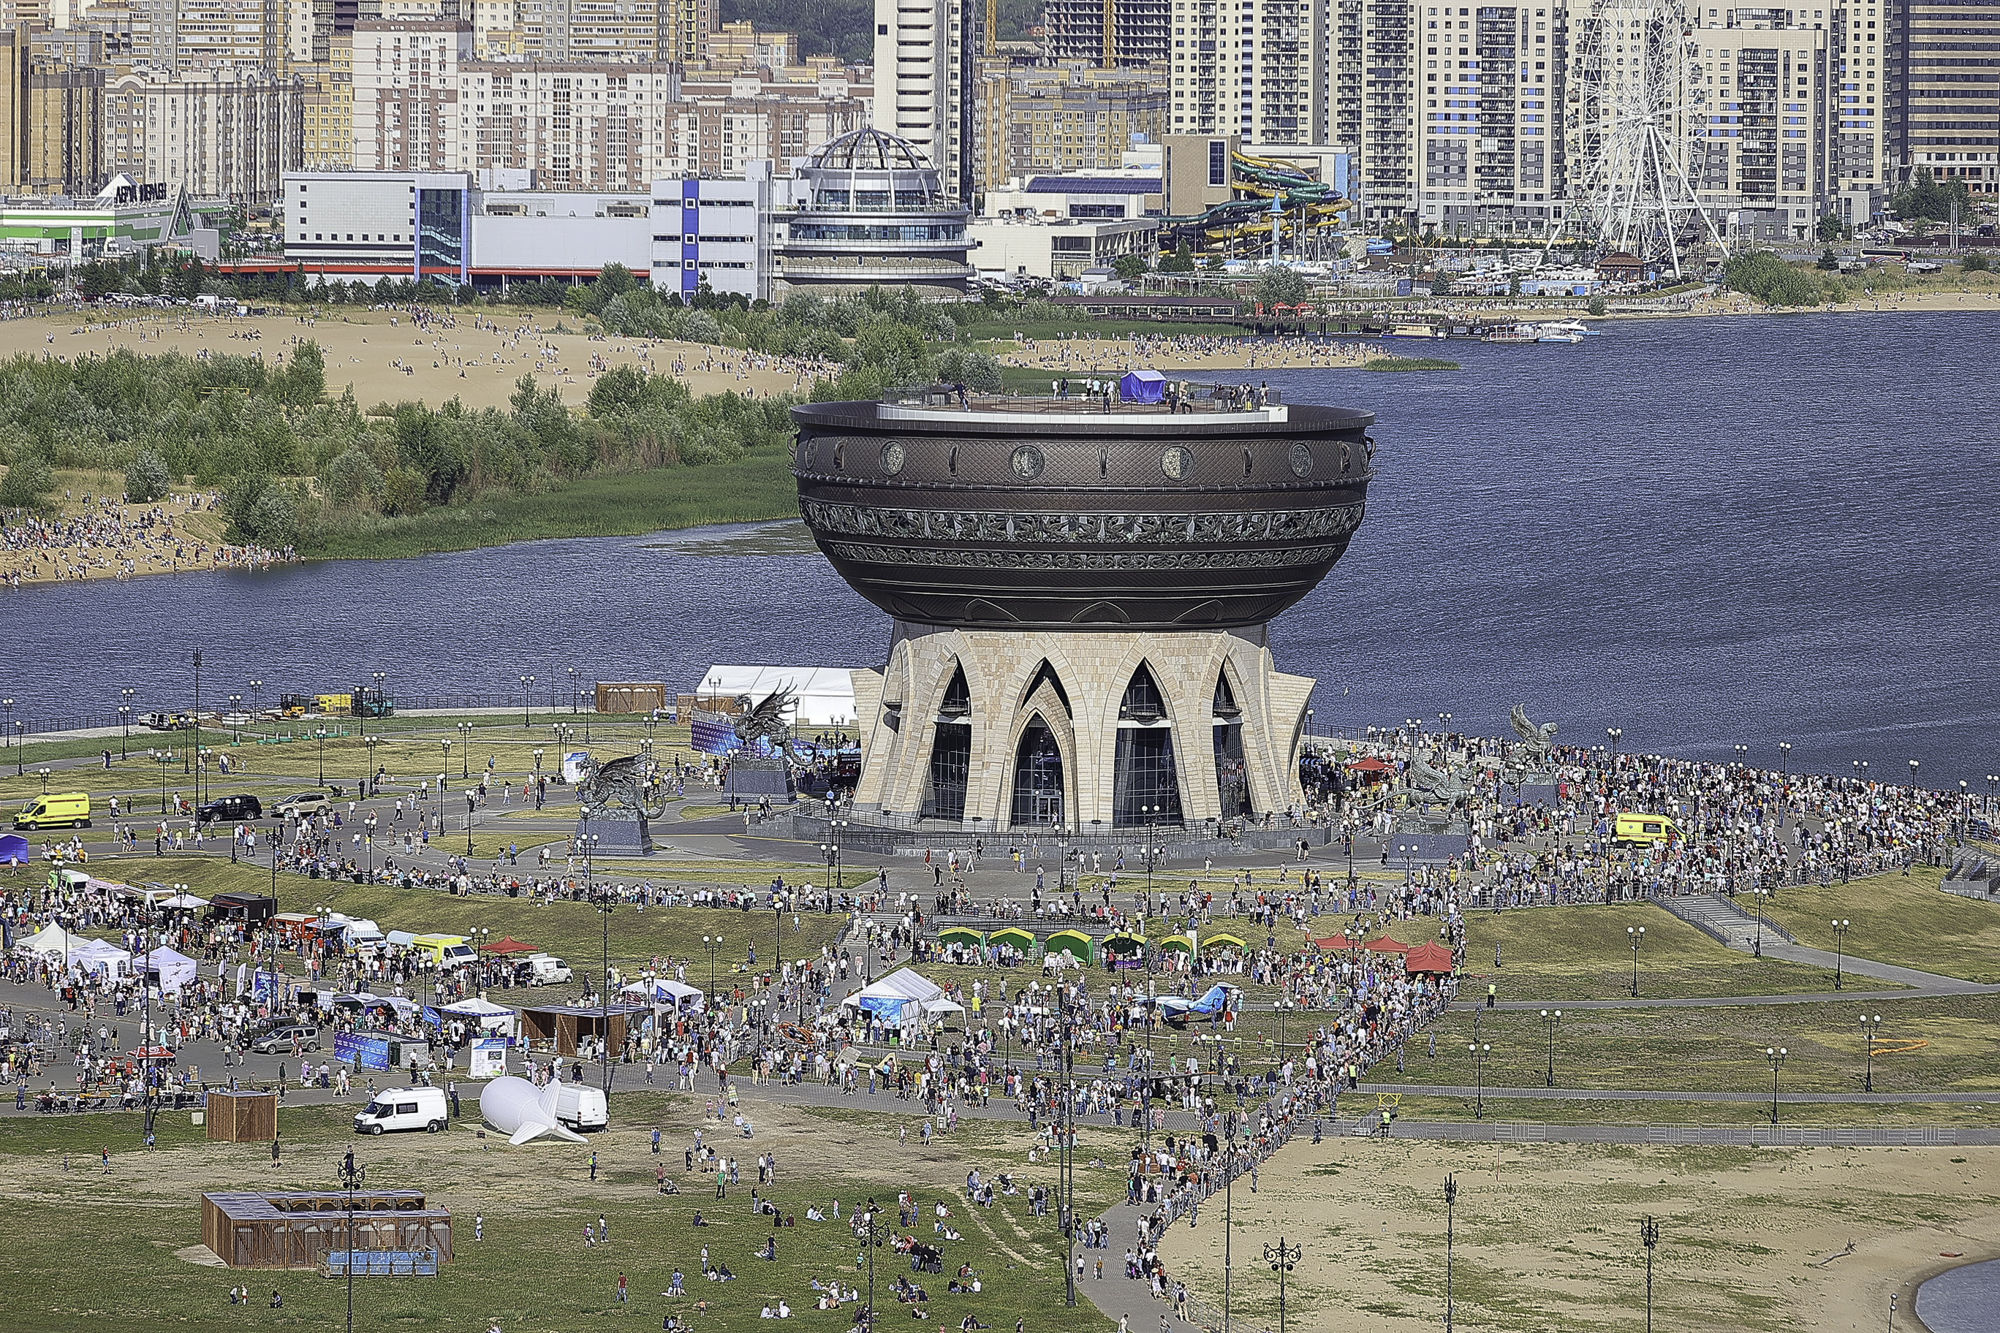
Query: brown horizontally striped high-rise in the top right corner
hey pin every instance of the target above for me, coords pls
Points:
(1943, 103)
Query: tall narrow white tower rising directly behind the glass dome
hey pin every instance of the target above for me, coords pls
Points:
(927, 85)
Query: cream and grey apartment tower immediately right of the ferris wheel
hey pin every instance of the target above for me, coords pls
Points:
(1761, 105)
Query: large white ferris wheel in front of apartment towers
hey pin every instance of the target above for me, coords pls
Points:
(1641, 133)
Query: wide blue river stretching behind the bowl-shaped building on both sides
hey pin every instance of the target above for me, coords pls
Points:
(1701, 531)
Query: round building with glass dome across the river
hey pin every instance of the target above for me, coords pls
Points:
(871, 209)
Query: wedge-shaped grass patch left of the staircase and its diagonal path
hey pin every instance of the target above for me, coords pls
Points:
(1569, 954)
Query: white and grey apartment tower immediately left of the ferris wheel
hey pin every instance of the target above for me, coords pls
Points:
(1487, 153)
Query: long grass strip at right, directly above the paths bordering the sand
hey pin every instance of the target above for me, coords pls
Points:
(1923, 1046)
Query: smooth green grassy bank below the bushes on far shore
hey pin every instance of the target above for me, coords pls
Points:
(755, 487)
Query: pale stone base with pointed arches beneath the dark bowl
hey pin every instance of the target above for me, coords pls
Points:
(1031, 736)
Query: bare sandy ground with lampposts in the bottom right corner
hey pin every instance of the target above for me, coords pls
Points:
(1547, 1236)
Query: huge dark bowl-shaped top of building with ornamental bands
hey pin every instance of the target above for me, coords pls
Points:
(1057, 515)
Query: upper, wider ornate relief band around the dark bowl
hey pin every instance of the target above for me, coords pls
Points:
(1139, 529)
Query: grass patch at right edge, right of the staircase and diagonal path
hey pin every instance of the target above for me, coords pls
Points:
(1897, 920)
